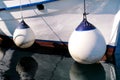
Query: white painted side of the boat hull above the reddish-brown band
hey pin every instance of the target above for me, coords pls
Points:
(62, 16)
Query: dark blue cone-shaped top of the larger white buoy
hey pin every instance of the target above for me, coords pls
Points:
(85, 26)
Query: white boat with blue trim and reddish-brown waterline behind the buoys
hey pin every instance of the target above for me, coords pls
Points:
(53, 21)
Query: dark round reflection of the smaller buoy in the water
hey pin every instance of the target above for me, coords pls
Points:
(27, 67)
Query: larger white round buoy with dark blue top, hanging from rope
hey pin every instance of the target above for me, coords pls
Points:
(86, 44)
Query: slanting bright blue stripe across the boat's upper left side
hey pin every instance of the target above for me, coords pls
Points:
(28, 5)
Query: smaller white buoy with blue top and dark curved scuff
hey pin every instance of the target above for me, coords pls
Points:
(23, 36)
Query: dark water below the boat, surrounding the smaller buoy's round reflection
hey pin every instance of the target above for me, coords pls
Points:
(54, 67)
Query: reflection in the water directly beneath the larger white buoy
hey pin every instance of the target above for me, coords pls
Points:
(87, 72)
